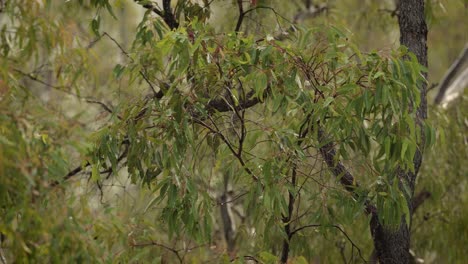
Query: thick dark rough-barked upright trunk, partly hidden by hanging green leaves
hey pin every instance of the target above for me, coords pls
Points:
(393, 246)
